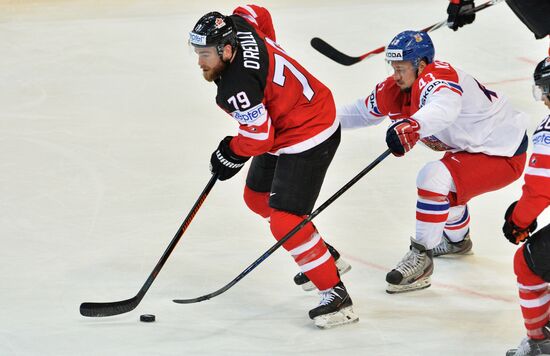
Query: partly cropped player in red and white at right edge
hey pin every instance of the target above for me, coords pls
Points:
(532, 259)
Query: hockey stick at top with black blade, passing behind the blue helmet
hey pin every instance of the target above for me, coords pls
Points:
(339, 57)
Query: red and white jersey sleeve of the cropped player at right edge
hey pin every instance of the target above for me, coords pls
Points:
(536, 190)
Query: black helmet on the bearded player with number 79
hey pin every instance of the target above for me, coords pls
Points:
(213, 30)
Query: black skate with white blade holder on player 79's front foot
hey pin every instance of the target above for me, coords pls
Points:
(335, 308)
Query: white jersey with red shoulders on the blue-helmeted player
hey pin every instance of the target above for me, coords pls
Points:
(455, 112)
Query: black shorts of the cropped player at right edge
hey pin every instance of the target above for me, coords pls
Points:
(536, 252)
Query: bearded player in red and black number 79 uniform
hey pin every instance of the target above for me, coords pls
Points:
(287, 122)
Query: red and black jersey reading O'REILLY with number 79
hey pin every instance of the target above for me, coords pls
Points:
(280, 107)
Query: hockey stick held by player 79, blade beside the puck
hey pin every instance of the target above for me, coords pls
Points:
(113, 308)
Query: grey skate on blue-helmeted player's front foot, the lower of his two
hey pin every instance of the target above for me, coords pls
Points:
(413, 272)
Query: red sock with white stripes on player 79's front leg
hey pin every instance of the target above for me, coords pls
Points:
(307, 248)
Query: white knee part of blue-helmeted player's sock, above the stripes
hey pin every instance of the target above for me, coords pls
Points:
(435, 177)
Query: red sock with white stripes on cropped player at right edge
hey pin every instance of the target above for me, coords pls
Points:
(533, 295)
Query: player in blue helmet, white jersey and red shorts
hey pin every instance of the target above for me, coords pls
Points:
(483, 137)
